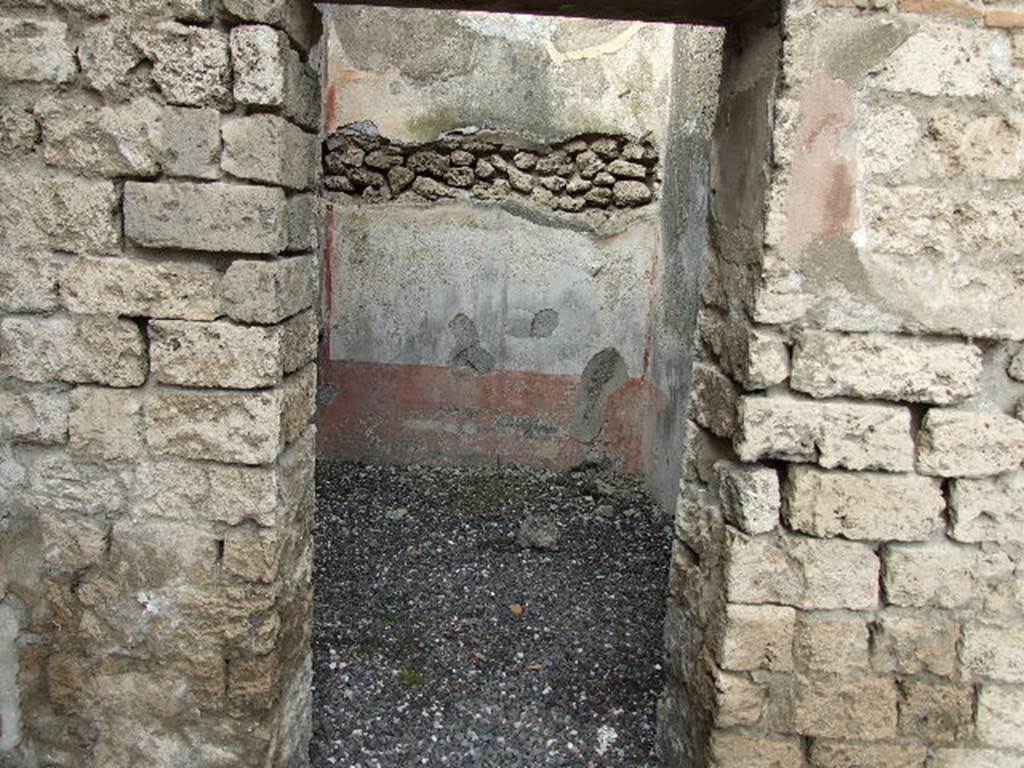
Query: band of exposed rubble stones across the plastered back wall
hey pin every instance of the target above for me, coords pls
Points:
(595, 174)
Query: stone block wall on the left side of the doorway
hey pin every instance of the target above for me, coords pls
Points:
(157, 345)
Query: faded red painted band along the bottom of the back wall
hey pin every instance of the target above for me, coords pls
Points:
(431, 415)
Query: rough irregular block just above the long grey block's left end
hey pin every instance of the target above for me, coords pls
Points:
(119, 141)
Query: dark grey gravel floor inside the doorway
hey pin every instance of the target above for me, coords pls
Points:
(449, 633)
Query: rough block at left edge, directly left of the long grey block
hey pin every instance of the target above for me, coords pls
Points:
(58, 211)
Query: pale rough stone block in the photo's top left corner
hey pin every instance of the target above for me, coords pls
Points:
(36, 51)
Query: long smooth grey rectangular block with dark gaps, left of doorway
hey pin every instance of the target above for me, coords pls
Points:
(217, 218)
